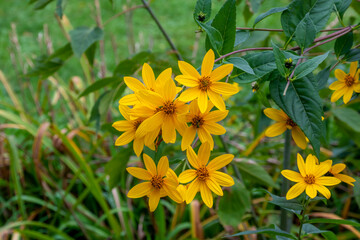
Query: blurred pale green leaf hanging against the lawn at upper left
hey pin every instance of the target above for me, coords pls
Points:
(82, 38)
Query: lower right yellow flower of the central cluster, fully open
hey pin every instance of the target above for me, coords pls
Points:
(205, 178)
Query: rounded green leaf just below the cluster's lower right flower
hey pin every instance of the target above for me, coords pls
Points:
(234, 204)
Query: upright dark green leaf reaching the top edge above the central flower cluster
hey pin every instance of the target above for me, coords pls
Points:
(225, 23)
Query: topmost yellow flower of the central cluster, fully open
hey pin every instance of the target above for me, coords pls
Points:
(207, 84)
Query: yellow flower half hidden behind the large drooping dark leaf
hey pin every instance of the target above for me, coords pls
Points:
(283, 122)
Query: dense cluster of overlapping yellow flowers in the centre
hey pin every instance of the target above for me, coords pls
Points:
(156, 112)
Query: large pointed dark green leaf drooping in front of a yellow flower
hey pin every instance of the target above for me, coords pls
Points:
(302, 104)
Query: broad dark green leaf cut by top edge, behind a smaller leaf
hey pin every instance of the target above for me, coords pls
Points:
(319, 12)
